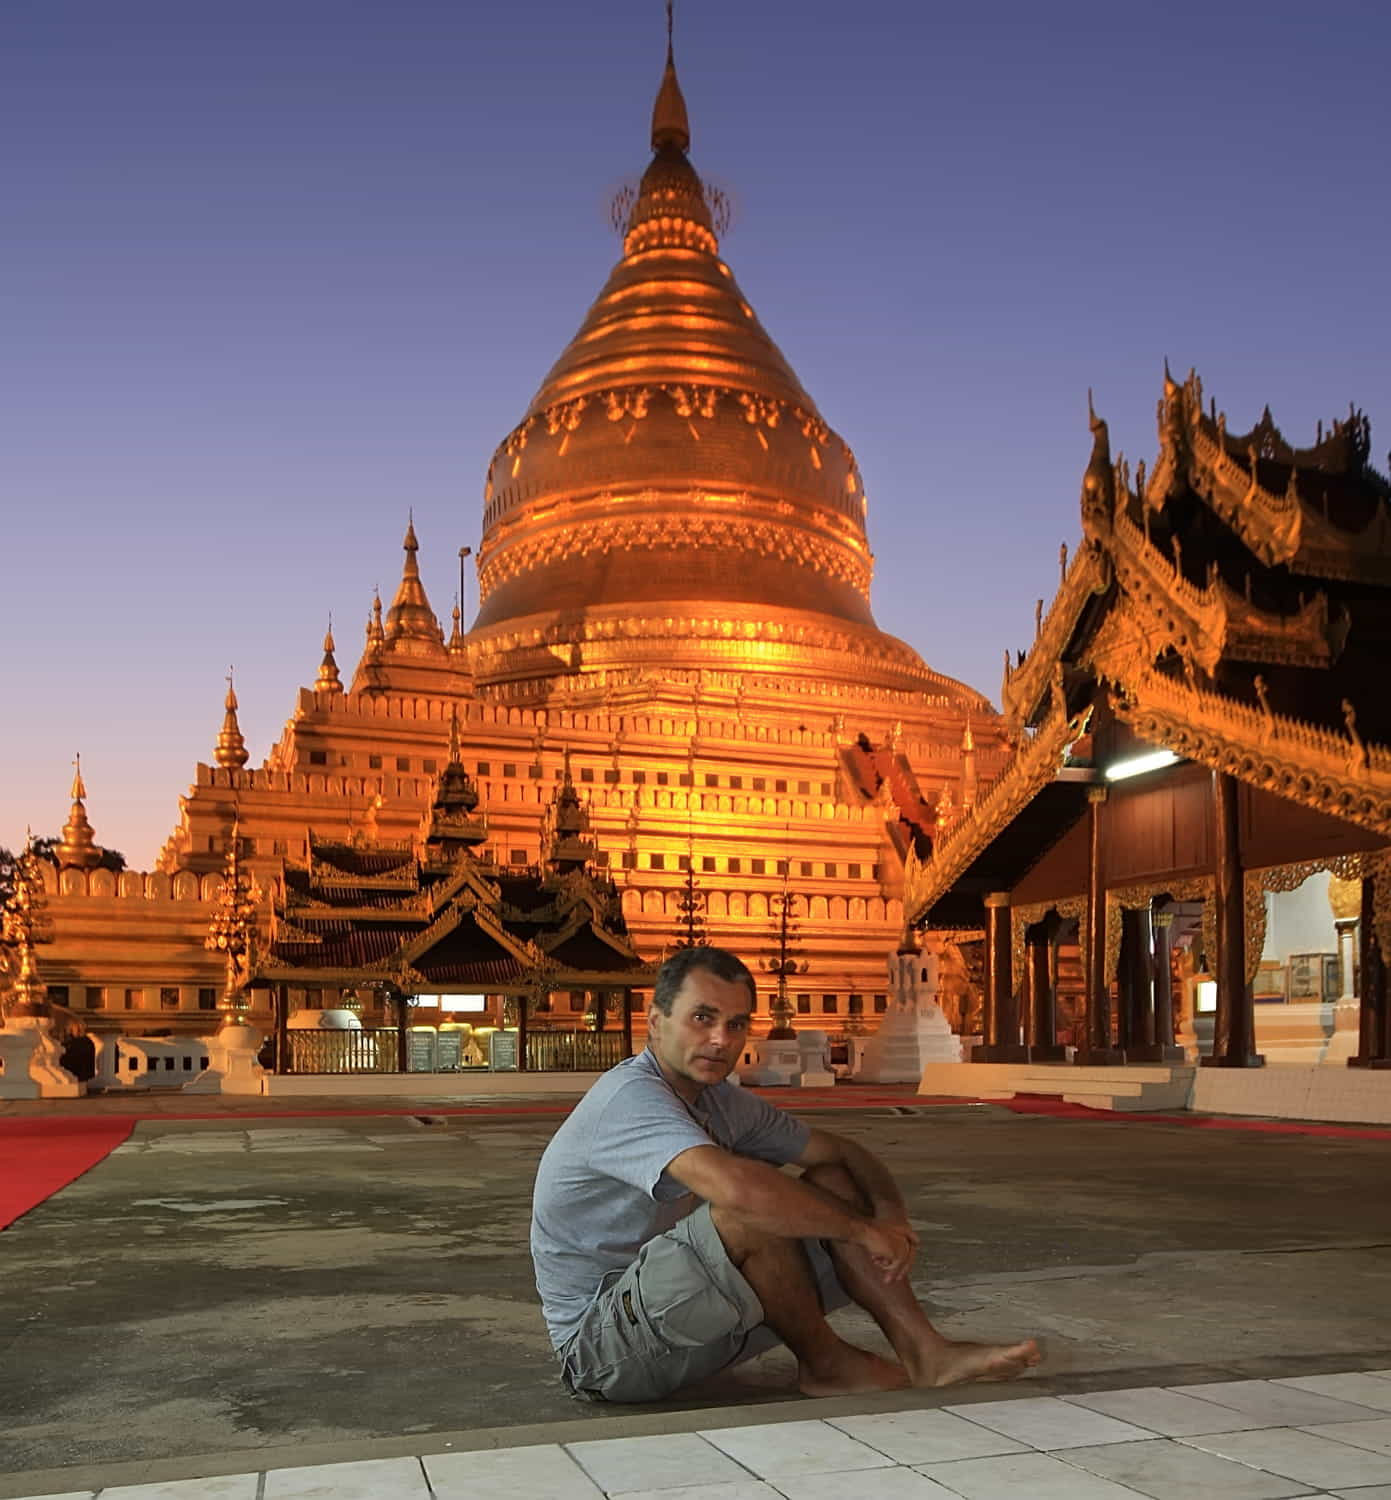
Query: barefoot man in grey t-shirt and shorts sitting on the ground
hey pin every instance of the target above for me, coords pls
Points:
(668, 1246)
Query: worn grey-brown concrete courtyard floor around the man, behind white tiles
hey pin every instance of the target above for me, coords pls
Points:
(233, 1292)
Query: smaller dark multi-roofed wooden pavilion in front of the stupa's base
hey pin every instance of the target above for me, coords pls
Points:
(439, 916)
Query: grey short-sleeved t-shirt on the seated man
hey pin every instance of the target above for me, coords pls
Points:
(602, 1189)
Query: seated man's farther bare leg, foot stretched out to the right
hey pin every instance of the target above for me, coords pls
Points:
(928, 1357)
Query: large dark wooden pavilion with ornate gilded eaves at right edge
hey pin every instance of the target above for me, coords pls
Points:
(1228, 619)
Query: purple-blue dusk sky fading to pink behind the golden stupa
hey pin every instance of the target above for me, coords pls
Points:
(277, 272)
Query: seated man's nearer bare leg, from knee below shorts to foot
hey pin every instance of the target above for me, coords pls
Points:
(781, 1276)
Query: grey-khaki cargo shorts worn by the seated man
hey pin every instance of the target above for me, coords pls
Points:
(677, 1315)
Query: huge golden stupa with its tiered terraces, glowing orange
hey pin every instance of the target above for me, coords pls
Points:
(674, 613)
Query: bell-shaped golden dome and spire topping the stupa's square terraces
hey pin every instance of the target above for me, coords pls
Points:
(673, 490)
